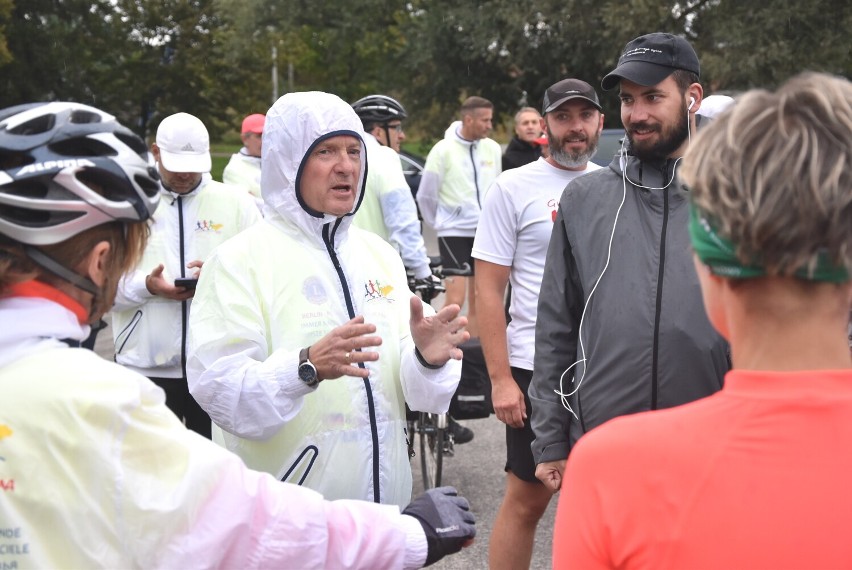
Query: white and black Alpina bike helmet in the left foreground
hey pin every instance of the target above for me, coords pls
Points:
(51, 154)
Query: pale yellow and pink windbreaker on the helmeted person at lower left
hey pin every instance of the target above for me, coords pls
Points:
(96, 472)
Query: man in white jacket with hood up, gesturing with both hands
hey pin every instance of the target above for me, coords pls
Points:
(306, 340)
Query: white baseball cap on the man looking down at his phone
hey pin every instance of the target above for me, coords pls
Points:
(184, 144)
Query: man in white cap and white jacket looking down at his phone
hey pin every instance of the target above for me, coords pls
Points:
(195, 215)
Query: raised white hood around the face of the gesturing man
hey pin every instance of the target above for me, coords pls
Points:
(295, 124)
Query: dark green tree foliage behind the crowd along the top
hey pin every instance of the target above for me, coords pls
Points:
(145, 59)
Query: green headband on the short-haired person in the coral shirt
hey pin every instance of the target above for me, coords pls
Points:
(719, 254)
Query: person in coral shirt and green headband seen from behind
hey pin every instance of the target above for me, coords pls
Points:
(756, 475)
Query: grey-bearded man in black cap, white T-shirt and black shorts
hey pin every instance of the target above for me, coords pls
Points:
(510, 245)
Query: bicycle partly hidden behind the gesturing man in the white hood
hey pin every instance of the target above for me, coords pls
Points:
(436, 441)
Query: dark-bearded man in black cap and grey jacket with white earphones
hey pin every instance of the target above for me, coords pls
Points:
(621, 326)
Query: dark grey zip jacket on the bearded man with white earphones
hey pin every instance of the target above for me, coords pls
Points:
(648, 343)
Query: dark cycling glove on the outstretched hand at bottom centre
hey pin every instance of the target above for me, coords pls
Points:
(446, 519)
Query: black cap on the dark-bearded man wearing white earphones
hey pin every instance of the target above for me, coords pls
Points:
(649, 59)
